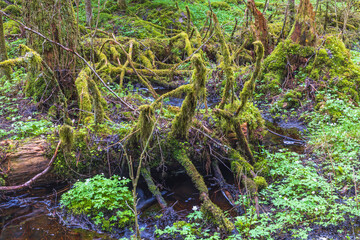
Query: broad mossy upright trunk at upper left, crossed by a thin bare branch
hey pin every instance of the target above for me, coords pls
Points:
(56, 20)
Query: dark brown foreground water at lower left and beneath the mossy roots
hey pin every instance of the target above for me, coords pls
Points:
(33, 214)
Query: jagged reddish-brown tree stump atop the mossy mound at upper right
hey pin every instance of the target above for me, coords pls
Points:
(303, 32)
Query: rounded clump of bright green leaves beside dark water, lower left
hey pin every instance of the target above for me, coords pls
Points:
(101, 199)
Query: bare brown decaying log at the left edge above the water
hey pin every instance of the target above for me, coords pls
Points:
(29, 161)
